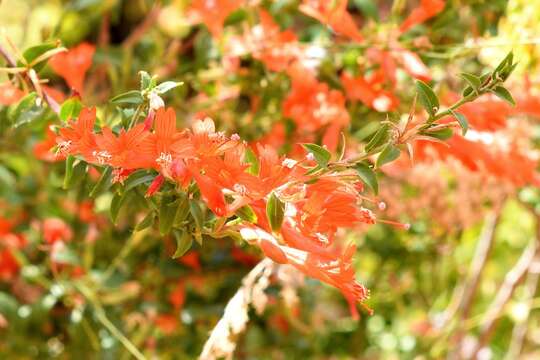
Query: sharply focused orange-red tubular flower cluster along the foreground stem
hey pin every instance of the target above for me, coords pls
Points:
(314, 208)
